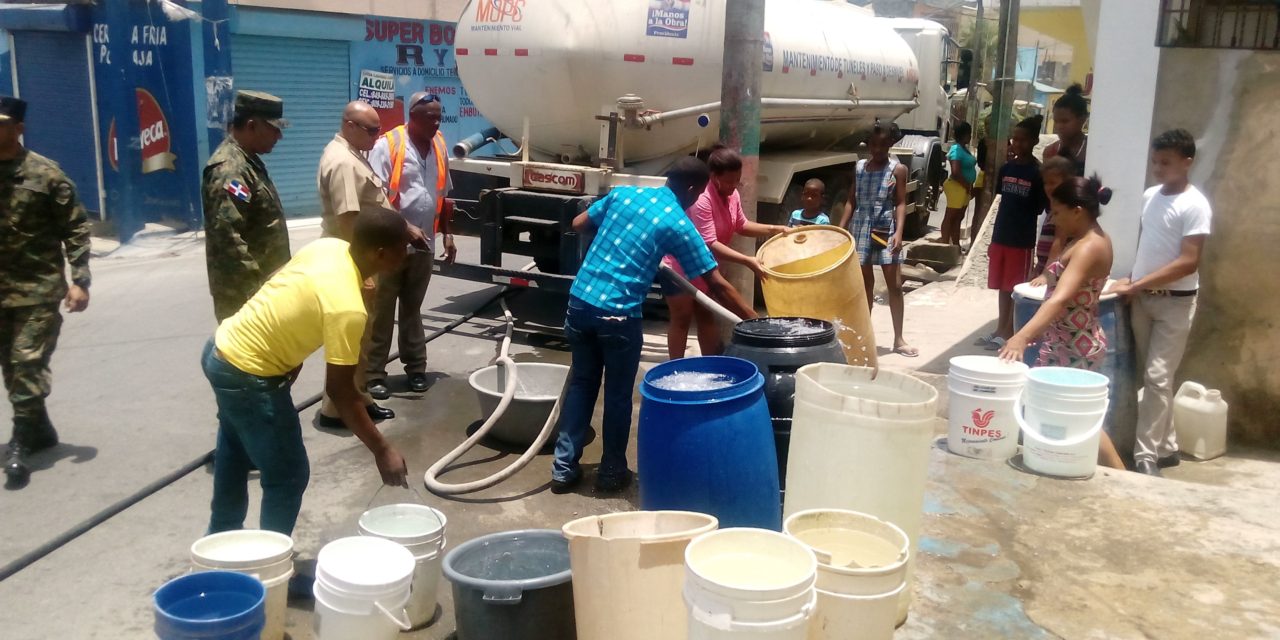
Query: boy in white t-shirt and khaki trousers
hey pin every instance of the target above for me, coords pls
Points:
(1163, 289)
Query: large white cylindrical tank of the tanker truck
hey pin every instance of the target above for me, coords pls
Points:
(570, 61)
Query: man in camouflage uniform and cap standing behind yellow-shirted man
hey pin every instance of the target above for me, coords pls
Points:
(246, 239)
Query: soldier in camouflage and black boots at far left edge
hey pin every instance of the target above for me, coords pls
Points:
(40, 218)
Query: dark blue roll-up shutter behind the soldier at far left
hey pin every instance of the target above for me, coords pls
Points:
(54, 80)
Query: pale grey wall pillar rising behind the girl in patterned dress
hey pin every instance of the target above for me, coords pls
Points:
(1124, 98)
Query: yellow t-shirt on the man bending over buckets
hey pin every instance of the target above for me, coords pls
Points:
(313, 301)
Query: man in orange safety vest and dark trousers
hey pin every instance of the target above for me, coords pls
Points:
(413, 162)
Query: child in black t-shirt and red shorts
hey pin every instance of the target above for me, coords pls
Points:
(1013, 241)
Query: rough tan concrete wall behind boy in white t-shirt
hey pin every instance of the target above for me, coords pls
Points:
(1236, 341)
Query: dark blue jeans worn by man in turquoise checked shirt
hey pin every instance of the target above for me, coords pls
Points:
(606, 348)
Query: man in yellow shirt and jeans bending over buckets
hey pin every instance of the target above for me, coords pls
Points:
(254, 358)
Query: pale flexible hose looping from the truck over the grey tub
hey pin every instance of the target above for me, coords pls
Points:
(509, 368)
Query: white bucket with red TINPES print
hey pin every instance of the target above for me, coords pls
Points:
(981, 419)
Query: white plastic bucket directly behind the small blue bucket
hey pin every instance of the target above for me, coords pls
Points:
(267, 556)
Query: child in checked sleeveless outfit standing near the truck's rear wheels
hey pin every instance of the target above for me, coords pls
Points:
(877, 208)
